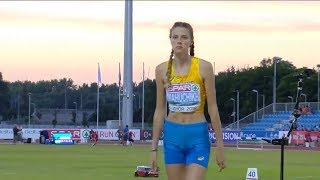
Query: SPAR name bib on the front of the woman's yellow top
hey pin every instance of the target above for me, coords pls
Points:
(183, 97)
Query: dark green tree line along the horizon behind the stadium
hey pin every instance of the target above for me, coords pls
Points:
(64, 94)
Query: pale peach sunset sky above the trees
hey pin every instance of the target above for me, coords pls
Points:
(44, 40)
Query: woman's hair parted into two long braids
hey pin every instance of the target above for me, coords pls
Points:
(189, 27)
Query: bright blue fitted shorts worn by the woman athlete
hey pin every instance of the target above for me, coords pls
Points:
(186, 143)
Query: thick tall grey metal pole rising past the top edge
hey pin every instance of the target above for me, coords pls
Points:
(127, 81)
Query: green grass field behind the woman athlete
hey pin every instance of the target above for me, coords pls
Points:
(113, 162)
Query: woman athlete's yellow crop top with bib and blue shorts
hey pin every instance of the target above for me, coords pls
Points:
(186, 143)
